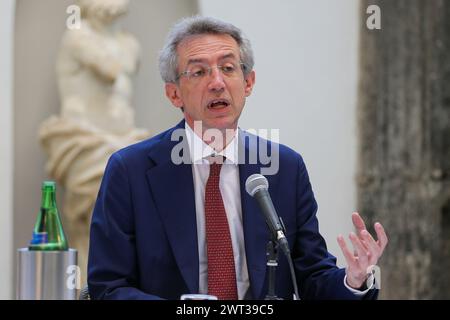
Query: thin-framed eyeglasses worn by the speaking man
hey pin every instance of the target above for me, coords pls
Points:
(198, 71)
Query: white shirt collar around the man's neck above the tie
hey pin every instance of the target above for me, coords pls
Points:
(199, 150)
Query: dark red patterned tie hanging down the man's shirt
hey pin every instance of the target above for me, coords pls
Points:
(221, 272)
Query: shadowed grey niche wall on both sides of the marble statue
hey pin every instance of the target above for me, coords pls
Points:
(39, 26)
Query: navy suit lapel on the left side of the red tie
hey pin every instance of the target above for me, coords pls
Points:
(173, 193)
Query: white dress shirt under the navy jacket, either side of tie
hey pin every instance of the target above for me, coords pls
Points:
(230, 189)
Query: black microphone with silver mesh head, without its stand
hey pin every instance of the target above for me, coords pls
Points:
(257, 186)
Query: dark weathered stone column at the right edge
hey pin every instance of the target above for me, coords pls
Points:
(404, 143)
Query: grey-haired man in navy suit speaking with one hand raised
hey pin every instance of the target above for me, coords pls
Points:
(162, 228)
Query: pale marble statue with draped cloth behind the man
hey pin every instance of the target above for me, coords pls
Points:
(94, 69)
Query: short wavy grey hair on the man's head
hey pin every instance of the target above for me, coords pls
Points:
(198, 25)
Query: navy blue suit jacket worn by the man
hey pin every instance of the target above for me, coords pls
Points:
(143, 240)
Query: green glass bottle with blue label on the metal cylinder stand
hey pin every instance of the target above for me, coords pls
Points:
(48, 233)
